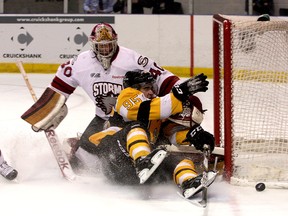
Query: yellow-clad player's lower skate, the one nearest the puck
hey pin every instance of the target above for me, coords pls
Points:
(195, 185)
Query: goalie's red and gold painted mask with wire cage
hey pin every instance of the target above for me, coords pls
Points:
(103, 40)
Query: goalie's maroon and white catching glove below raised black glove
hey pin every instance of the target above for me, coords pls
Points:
(192, 113)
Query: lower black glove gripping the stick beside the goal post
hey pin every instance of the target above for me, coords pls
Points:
(198, 137)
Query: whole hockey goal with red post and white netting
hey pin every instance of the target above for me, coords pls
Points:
(251, 98)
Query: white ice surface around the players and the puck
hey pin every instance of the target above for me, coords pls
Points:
(41, 190)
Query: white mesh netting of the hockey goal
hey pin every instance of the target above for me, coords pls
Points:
(259, 100)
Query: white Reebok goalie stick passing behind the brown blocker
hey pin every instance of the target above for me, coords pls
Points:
(53, 140)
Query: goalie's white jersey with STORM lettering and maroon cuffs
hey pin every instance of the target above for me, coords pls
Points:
(103, 86)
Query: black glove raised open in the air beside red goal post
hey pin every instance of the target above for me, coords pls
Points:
(190, 87)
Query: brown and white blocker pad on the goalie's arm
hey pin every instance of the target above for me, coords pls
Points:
(47, 112)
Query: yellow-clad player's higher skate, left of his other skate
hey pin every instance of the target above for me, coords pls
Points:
(146, 166)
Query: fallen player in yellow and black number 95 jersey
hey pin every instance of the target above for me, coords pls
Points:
(133, 145)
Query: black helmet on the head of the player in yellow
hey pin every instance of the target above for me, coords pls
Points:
(138, 78)
